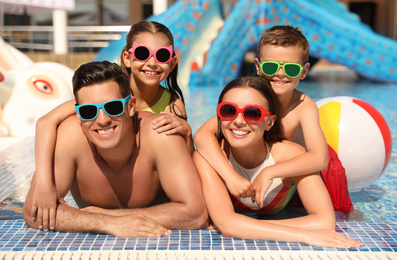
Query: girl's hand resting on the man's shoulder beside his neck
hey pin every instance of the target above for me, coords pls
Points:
(169, 124)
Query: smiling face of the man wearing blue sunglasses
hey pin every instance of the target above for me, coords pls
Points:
(105, 132)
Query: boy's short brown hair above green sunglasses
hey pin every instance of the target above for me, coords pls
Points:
(285, 36)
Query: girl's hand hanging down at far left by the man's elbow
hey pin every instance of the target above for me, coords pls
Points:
(45, 201)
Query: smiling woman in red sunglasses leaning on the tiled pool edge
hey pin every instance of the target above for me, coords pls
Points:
(251, 137)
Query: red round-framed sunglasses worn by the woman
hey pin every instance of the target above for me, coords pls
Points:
(251, 113)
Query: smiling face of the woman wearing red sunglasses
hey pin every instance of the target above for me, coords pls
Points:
(238, 132)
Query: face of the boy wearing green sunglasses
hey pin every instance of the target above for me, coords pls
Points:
(280, 82)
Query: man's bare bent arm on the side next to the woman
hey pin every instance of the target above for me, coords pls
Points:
(179, 180)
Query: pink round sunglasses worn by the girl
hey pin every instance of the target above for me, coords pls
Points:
(142, 53)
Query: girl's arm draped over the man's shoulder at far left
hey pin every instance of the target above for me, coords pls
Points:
(45, 196)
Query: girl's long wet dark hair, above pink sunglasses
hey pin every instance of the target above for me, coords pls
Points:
(171, 82)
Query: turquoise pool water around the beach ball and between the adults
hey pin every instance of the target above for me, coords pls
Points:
(377, 202)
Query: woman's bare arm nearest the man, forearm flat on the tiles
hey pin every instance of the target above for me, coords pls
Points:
(236, 225)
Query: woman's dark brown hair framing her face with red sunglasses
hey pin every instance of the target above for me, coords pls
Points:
(262, 85)
